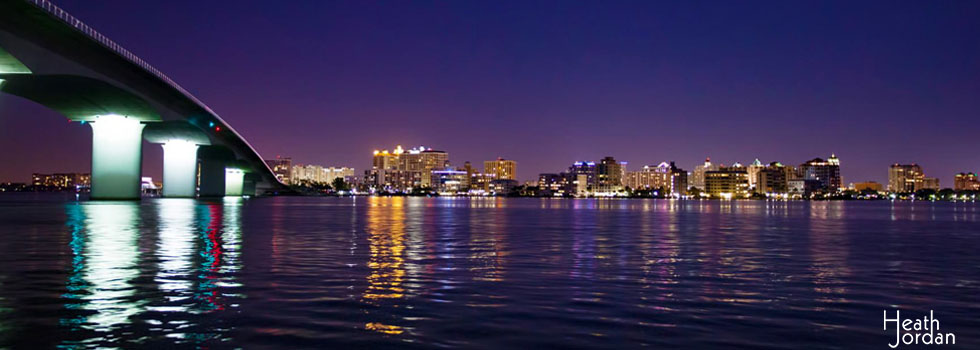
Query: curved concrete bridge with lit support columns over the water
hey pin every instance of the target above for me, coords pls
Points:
(49, 57)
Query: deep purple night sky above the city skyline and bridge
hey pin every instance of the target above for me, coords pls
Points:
(548, 83)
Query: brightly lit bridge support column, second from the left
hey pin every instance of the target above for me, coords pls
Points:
(179, 168)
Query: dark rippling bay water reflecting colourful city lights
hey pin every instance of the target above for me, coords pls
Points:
(485, 273)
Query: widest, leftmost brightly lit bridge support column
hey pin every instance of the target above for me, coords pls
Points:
(116, 157)
